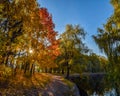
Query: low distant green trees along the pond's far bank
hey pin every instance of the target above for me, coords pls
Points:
(90, 63)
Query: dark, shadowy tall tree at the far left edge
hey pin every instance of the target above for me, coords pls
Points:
(11, 29)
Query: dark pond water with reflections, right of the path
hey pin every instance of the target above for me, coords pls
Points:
(94, 84)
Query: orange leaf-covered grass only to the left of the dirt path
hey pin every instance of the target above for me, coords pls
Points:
(22, 85)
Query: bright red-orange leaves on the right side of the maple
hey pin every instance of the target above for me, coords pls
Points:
(48, 27)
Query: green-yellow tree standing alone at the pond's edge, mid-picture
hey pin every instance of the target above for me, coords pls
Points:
(71, 46)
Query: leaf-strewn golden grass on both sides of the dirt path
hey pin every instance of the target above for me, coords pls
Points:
(26, 85)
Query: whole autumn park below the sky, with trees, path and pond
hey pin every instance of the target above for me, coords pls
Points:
(36, 60)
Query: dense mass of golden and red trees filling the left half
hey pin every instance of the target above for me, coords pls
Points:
(27, 35)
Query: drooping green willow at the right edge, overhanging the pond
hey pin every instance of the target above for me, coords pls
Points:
(108, 40)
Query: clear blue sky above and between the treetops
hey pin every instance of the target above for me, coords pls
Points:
(89, 14)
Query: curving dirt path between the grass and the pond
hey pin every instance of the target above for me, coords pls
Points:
(59, 88)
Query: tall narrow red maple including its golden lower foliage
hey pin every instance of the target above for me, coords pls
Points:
(50, 43)
